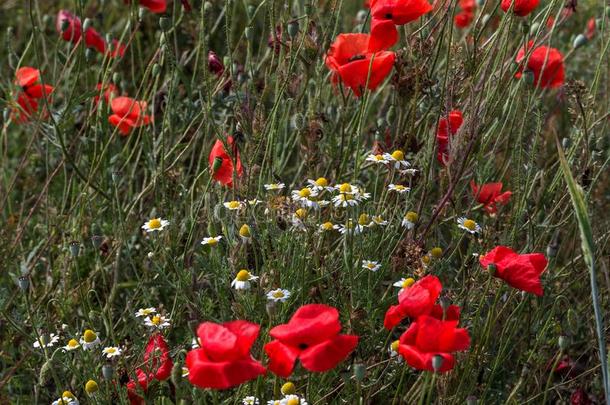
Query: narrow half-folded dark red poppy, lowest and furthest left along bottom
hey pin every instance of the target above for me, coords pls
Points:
(157, 365)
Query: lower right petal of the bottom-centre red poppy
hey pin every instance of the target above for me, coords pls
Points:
(326, 355)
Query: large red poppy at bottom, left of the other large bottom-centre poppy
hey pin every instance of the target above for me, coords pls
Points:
(223, 360)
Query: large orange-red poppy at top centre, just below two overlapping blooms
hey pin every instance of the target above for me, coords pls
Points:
(352, 56)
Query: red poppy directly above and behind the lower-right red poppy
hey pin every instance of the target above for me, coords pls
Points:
(414, 301)
